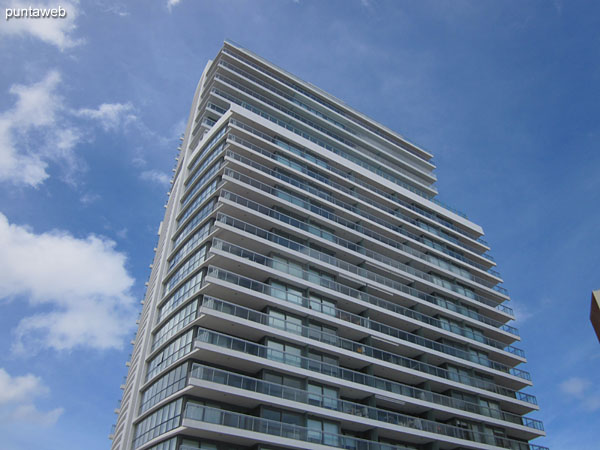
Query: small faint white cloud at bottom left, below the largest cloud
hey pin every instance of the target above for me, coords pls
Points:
(16, 400)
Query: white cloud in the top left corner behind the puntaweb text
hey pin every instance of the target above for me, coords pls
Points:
(54, 31)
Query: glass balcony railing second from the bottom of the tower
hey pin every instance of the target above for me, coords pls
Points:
(231, 379)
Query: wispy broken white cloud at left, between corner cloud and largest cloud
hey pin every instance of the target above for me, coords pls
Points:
(40, 129)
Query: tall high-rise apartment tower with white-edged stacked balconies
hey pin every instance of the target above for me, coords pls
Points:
(309, 292)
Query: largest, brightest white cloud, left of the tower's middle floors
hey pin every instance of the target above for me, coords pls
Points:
(82, 285)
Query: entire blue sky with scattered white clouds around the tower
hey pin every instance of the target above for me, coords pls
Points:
(504, 94)
